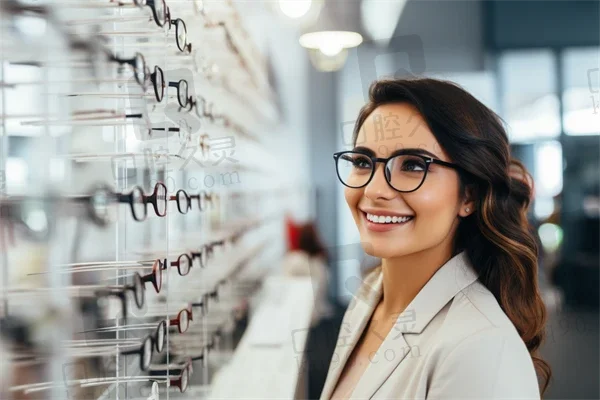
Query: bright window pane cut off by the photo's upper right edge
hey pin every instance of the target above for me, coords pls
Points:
(581, 97)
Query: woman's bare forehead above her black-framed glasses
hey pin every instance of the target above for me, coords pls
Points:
(395, 126)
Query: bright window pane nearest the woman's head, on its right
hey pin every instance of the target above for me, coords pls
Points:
(530, 105)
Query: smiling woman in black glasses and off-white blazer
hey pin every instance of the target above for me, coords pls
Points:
(446, 213)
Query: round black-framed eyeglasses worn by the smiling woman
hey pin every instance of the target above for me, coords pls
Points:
(405, 171)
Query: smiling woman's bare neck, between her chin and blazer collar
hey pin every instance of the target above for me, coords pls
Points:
(405, 276)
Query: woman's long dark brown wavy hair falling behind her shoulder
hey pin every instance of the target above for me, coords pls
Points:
(497, 237)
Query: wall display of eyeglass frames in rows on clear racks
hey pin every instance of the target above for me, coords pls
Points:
(136, 208)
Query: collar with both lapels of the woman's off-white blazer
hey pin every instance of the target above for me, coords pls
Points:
(452, 277)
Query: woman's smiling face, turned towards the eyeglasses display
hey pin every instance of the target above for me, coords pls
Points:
(433, 209)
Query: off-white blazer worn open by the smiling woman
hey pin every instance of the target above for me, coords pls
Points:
(453, 341)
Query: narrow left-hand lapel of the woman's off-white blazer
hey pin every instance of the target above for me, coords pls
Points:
(356, 318)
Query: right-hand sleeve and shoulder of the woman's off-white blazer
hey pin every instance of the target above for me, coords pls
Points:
(479, 353)
